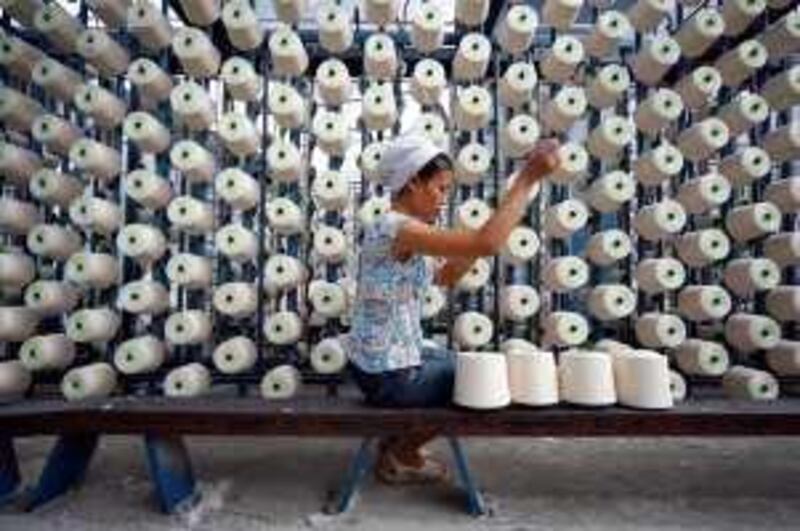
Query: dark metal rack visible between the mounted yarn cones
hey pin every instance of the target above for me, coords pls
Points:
(486, 299)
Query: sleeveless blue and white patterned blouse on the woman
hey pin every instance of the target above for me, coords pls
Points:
(386, 333)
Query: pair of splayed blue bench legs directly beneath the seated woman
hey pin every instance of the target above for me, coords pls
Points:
(364, 461)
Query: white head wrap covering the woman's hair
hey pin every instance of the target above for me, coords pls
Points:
(403, 158)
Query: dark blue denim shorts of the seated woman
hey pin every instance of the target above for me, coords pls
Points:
(427, 385)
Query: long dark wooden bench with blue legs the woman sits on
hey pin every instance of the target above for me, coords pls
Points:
(164, 422)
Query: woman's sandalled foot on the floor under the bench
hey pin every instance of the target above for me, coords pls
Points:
(402, 468)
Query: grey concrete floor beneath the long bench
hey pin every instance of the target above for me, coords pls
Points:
(614, 484)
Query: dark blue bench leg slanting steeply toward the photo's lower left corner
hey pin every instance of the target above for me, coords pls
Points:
(65, 468)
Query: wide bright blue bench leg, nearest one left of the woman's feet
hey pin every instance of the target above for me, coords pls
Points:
(171, 472)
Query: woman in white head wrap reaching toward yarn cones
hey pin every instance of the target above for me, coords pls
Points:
(388, 360)
